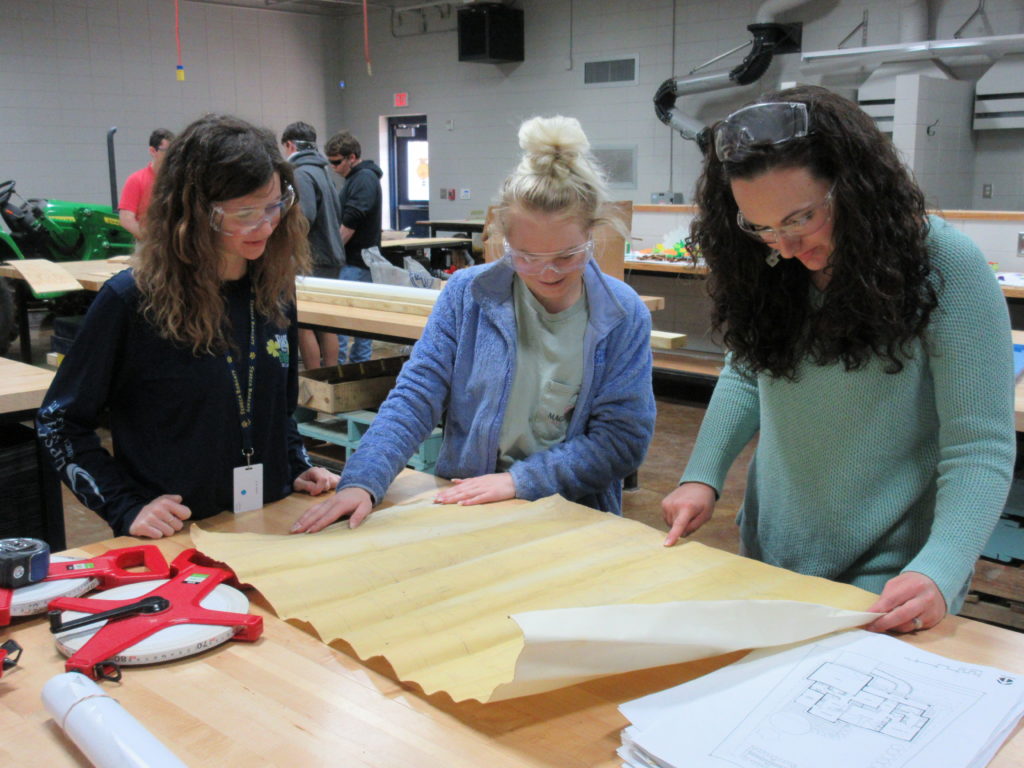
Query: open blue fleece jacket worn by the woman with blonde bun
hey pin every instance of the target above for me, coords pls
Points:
(464, 365)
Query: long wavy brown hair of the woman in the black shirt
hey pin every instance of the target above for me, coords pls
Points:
(217, 159)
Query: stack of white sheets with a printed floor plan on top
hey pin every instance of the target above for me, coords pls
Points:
(849, 701)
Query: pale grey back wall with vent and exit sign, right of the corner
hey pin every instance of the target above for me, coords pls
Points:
(486, 103)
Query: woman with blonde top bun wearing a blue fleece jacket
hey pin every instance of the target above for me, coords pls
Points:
(540, 362)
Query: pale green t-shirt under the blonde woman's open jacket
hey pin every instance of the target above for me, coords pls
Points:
(548, 376)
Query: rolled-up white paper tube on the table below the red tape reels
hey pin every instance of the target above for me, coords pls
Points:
(102, 729)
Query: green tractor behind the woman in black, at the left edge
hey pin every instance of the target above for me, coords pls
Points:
(57, 231)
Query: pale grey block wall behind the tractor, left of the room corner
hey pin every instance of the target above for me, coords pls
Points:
(72, 69)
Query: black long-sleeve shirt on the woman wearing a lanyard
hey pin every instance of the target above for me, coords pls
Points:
(174, 415)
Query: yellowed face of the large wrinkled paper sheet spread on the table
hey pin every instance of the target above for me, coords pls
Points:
(432, 588)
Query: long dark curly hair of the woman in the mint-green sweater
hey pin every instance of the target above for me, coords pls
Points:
(881, 291)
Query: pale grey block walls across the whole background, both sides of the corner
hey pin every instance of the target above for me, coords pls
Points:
(70, 69)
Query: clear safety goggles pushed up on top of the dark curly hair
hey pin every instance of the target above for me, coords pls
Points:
(763, 124)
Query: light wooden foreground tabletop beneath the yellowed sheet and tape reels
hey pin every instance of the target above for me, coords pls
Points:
(289, 700)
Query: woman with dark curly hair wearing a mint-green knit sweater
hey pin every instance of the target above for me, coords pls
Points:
(869, 345)
